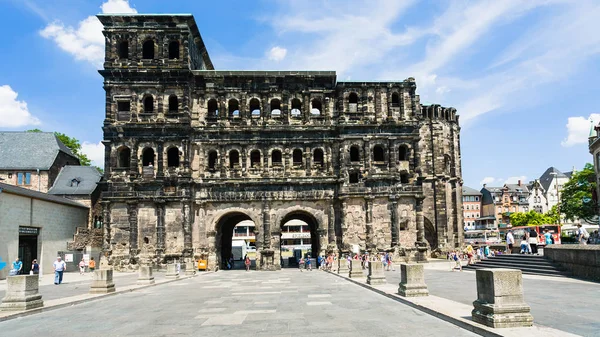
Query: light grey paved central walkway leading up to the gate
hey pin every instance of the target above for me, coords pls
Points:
(238, 303)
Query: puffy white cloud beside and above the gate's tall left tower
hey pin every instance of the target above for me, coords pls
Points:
(85, 42)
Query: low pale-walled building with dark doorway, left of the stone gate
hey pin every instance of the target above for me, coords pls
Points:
(36, 225)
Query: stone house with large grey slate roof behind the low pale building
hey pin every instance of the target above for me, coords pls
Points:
(32, 160)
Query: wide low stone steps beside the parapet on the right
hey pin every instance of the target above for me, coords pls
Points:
(528, 264)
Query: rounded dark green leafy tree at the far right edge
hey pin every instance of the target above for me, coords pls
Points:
(576, 196)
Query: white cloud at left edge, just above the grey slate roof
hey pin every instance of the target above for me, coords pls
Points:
(14, 113)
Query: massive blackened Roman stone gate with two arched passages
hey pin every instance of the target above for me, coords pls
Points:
(191, 151)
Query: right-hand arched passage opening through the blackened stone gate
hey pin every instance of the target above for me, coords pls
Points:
(297, 229)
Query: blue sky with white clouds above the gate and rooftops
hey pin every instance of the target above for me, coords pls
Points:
(523, 75)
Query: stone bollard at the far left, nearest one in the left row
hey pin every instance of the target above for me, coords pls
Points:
(22, 293)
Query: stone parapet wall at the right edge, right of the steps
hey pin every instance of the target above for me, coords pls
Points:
(581, 260)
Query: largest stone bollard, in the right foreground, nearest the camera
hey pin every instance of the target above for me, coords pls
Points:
(500, 302)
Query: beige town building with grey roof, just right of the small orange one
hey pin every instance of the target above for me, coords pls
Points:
(501, 202)
